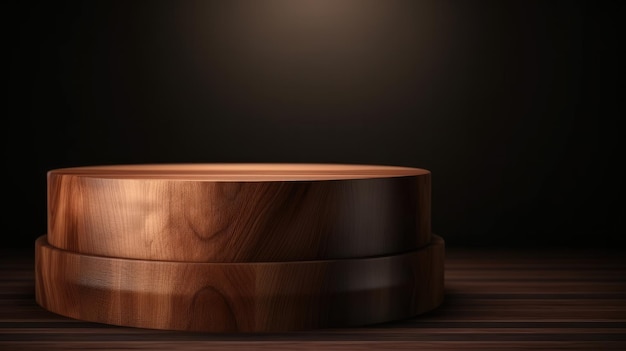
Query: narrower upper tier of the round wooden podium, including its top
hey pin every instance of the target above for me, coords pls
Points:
(239, 212)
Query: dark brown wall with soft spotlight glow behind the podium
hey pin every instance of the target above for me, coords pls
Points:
(513, 105)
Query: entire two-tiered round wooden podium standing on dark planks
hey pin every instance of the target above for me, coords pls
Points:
(239, 247)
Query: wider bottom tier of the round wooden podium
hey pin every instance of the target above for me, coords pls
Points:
(239, 297)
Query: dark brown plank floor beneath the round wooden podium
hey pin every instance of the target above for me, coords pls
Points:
(495, 300)
